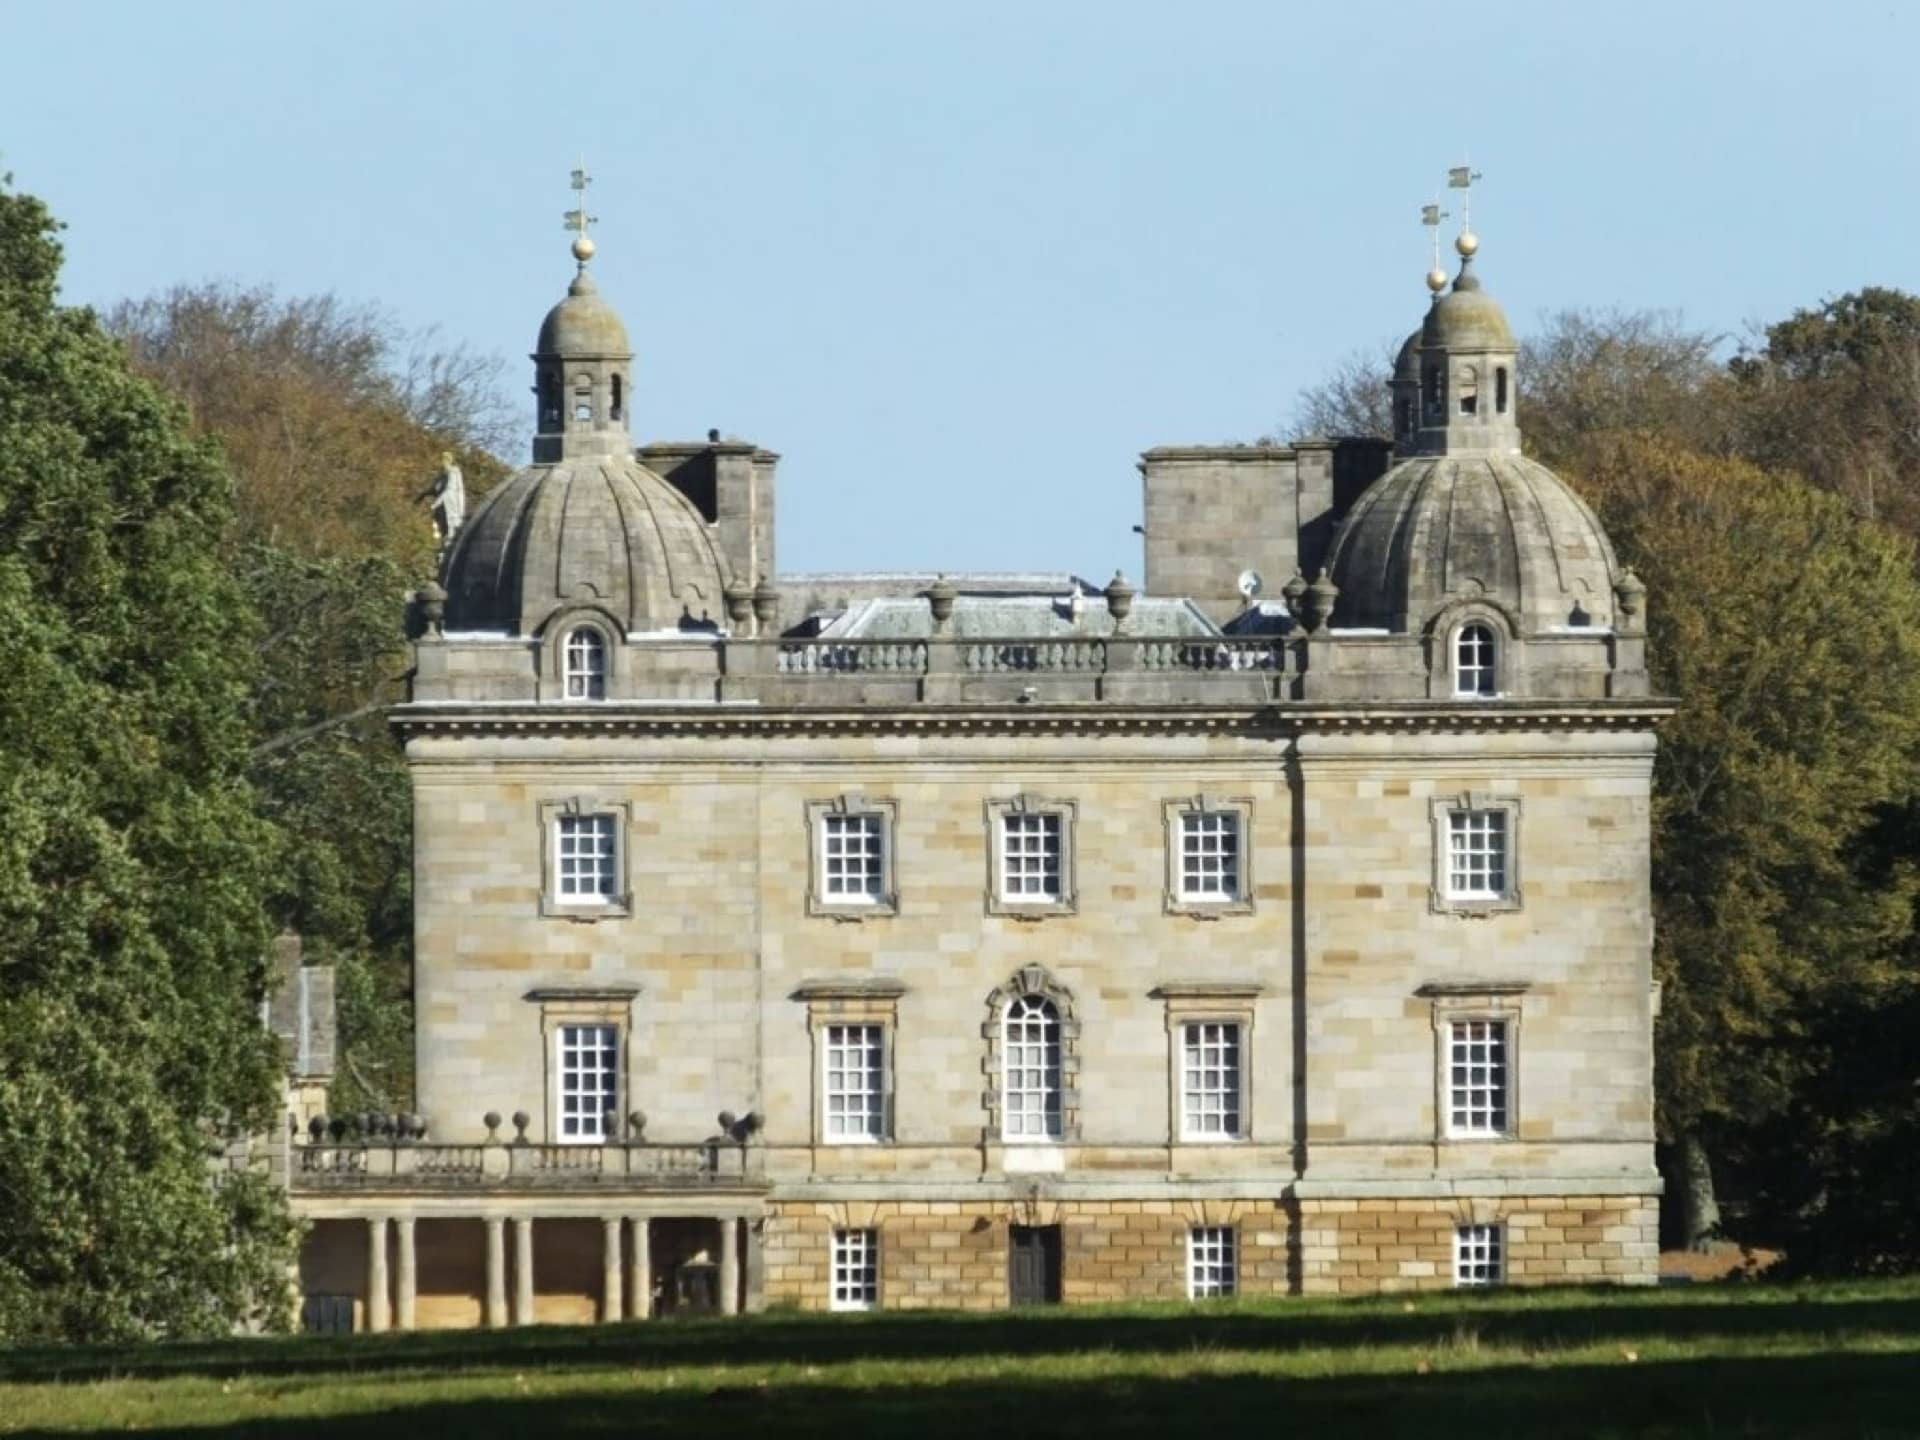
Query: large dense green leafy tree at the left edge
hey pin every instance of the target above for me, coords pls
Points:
(133, 863)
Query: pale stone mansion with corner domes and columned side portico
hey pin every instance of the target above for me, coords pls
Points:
(888, 940)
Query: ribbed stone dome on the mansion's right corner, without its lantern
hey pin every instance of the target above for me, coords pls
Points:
(1472, 527)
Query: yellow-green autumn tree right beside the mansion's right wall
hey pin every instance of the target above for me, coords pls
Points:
(1790, 629)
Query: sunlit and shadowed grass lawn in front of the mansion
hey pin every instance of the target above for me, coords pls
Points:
(1739, 1360)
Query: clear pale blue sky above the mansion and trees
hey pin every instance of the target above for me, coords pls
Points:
(959, 264)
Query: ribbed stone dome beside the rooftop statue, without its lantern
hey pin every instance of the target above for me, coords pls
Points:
(592, 531)
